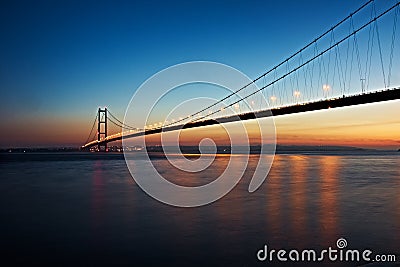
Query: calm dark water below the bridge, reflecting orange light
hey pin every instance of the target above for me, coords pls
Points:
(80, 209)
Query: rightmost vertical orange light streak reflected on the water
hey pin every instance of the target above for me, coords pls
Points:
(328, 206)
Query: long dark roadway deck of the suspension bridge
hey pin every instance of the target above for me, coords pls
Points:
(379, 96)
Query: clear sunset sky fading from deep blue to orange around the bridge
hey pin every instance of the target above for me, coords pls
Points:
(61, 60)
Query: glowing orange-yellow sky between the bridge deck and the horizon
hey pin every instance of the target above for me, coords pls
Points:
(334, 127)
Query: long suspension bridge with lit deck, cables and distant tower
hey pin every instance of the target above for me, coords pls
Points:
(357, 61)
